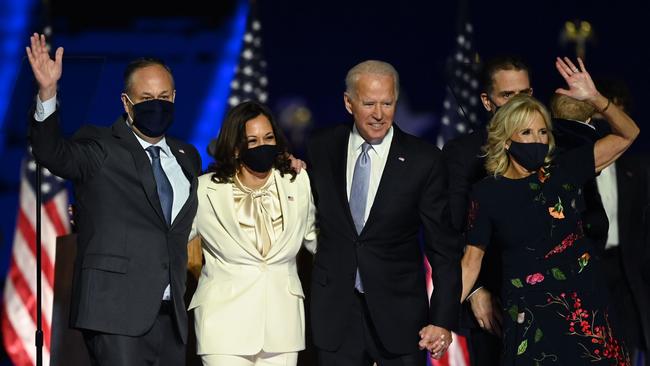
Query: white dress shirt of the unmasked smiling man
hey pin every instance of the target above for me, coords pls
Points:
(378, 157)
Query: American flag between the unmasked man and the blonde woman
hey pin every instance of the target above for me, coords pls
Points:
(462, 105)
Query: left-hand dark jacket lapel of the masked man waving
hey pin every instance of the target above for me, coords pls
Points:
(142, 164)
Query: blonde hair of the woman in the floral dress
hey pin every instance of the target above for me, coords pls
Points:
(513, 116)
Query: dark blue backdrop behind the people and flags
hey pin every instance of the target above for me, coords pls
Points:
(308, 46)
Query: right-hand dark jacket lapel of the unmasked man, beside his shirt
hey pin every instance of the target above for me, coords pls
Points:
(393, 174)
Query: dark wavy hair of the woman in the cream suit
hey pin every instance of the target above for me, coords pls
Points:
(232, 138)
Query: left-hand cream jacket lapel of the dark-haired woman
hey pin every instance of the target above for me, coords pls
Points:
(223, 204)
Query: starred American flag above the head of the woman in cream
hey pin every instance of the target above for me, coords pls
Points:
(249, 82)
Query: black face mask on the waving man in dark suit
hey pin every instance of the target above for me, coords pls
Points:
(153, 117)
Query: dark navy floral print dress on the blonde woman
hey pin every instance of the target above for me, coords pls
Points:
(554, 302)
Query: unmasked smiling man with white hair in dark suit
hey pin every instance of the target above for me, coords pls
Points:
(375, 188)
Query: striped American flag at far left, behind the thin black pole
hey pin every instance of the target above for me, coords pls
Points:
(19, 305)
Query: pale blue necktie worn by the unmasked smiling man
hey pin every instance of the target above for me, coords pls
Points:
(359, 196)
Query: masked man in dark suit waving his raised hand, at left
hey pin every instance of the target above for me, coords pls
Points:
(136, 200)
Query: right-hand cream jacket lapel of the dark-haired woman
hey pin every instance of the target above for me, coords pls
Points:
(288, 202)
